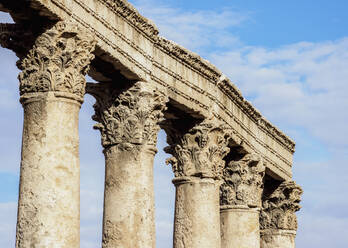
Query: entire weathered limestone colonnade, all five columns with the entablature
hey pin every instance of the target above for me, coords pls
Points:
(144, 78)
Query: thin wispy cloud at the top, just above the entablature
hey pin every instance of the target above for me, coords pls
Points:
(195, 30)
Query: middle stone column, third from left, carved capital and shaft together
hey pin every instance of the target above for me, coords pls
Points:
(197, 164)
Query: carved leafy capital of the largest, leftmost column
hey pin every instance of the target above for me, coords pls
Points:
(58, 61)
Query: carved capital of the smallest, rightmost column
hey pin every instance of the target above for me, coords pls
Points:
(278, 210)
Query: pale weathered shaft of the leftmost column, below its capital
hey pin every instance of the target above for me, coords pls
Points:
(49, 197)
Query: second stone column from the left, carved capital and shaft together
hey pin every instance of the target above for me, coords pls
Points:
(128, 121)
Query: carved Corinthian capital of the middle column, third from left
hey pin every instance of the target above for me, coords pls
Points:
(200, 151)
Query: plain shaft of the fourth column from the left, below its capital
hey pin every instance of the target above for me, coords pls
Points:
(240, 227)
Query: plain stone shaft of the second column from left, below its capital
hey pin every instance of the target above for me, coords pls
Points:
(129, 218)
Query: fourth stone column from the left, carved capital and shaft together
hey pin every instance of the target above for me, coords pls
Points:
(240, 202)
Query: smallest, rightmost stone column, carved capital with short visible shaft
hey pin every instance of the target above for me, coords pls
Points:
(278, 220)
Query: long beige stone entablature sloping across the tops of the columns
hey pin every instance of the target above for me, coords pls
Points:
(187, 79)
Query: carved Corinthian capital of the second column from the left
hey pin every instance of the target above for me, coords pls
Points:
(128, 117)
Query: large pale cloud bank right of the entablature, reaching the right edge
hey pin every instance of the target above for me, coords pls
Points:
(303, 84)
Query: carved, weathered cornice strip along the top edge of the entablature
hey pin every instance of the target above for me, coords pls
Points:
(202, 66)
